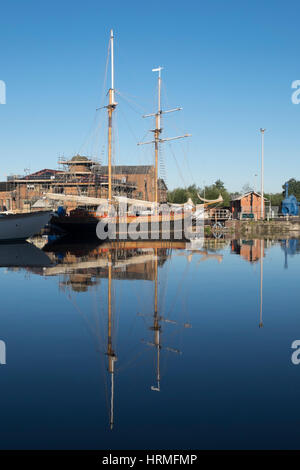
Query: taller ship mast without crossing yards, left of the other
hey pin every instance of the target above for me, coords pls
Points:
(110, 108)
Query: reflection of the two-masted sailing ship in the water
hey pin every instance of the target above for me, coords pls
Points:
(81, 267)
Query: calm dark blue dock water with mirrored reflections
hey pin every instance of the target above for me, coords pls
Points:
(142, 346)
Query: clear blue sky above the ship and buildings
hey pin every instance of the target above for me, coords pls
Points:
(229, 64)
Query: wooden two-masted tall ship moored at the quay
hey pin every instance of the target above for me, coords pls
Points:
(119, 216)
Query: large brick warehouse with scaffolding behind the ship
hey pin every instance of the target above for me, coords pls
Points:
(81, 176)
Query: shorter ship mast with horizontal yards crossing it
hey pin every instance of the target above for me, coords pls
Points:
(157, 131)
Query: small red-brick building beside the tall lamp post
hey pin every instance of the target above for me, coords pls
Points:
(247, 206)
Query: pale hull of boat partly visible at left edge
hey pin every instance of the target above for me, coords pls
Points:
(22, 226)
